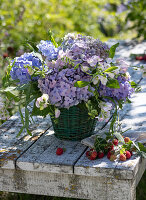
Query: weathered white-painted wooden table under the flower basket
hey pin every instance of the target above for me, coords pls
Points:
(30, 164)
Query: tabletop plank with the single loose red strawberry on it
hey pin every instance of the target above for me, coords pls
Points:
(42, 157)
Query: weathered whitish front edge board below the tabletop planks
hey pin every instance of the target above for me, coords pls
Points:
(66, 185)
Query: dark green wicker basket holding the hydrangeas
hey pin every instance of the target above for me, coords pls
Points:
(73, 124)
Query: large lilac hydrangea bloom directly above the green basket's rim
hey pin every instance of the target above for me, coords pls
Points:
(59, 86)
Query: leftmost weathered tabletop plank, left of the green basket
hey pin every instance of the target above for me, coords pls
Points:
(12, 147)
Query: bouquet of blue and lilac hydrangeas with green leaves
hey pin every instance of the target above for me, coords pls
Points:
(80, 72)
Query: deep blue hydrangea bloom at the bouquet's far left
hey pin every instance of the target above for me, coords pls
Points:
(20, 71)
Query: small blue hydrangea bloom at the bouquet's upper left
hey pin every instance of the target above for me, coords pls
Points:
(48, 49)
